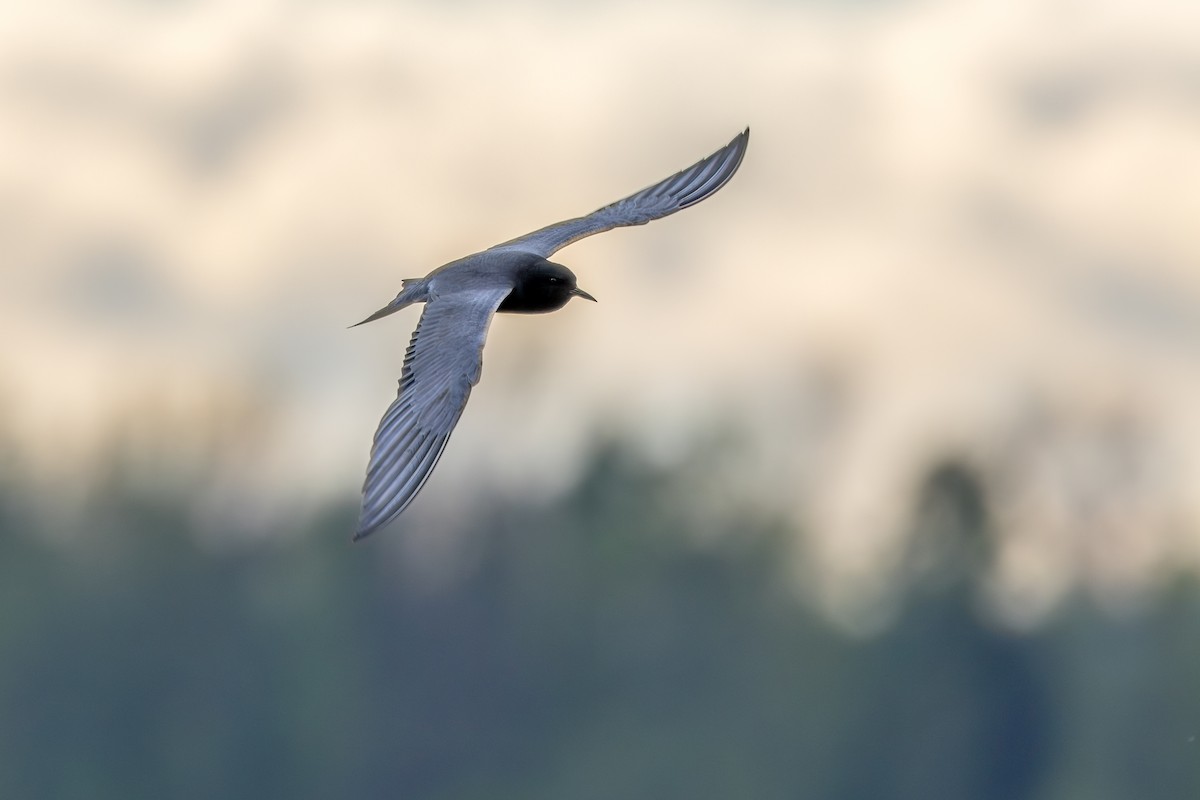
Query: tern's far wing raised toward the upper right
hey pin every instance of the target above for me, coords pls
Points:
(680, 191)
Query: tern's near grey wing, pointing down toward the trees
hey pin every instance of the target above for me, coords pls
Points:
(442, 364)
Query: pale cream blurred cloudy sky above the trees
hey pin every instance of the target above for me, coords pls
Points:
(961, 228)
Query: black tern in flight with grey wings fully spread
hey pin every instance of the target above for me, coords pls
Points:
(446, 356)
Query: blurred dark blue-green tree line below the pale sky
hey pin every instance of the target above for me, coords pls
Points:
(610, 643)
